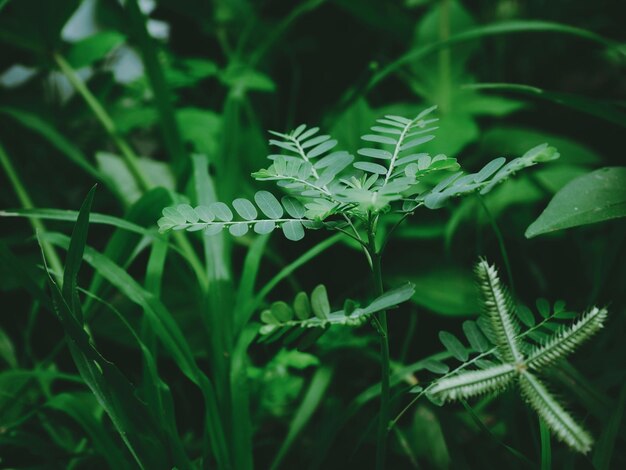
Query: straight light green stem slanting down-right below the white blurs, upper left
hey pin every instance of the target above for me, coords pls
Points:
(130, 158)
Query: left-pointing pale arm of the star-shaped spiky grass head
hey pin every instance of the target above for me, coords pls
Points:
(477, 382)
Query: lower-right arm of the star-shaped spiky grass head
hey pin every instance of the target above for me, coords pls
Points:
(555, 416)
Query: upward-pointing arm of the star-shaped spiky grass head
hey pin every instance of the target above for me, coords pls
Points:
(499, 309)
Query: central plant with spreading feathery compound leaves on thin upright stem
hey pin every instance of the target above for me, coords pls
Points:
(328, 188)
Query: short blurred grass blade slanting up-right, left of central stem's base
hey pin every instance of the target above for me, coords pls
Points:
(314, 395)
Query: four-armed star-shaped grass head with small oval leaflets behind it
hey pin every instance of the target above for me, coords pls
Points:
(499, 323)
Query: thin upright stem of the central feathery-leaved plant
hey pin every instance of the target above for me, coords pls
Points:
(381, 446)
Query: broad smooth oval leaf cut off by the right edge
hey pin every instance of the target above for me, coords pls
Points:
(595, 197)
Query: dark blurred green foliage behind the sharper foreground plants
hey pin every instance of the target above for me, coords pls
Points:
(124, 93)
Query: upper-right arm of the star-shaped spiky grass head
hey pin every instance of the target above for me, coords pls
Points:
(567, 339)
